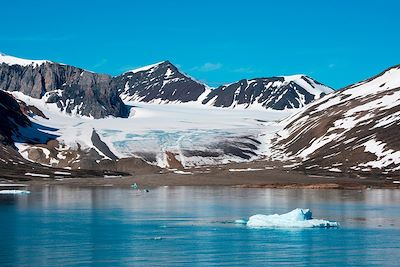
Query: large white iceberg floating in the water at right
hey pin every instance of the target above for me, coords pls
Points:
(297, 218)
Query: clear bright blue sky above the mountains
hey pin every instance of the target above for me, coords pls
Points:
(335, 42)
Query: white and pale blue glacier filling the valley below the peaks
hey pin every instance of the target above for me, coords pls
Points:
(196, 134)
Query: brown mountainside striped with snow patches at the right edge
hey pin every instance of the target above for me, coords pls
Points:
(354, 130)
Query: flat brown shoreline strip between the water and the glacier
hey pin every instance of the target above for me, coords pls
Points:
(256, 174)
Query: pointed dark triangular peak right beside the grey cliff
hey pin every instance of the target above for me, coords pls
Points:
(160, 82)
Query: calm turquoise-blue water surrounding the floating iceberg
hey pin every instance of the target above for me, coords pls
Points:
(183, 226)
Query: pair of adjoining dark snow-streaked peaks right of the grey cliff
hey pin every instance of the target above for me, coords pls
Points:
(164, 83)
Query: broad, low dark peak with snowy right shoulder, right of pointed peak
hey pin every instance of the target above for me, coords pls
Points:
(286, 92)
